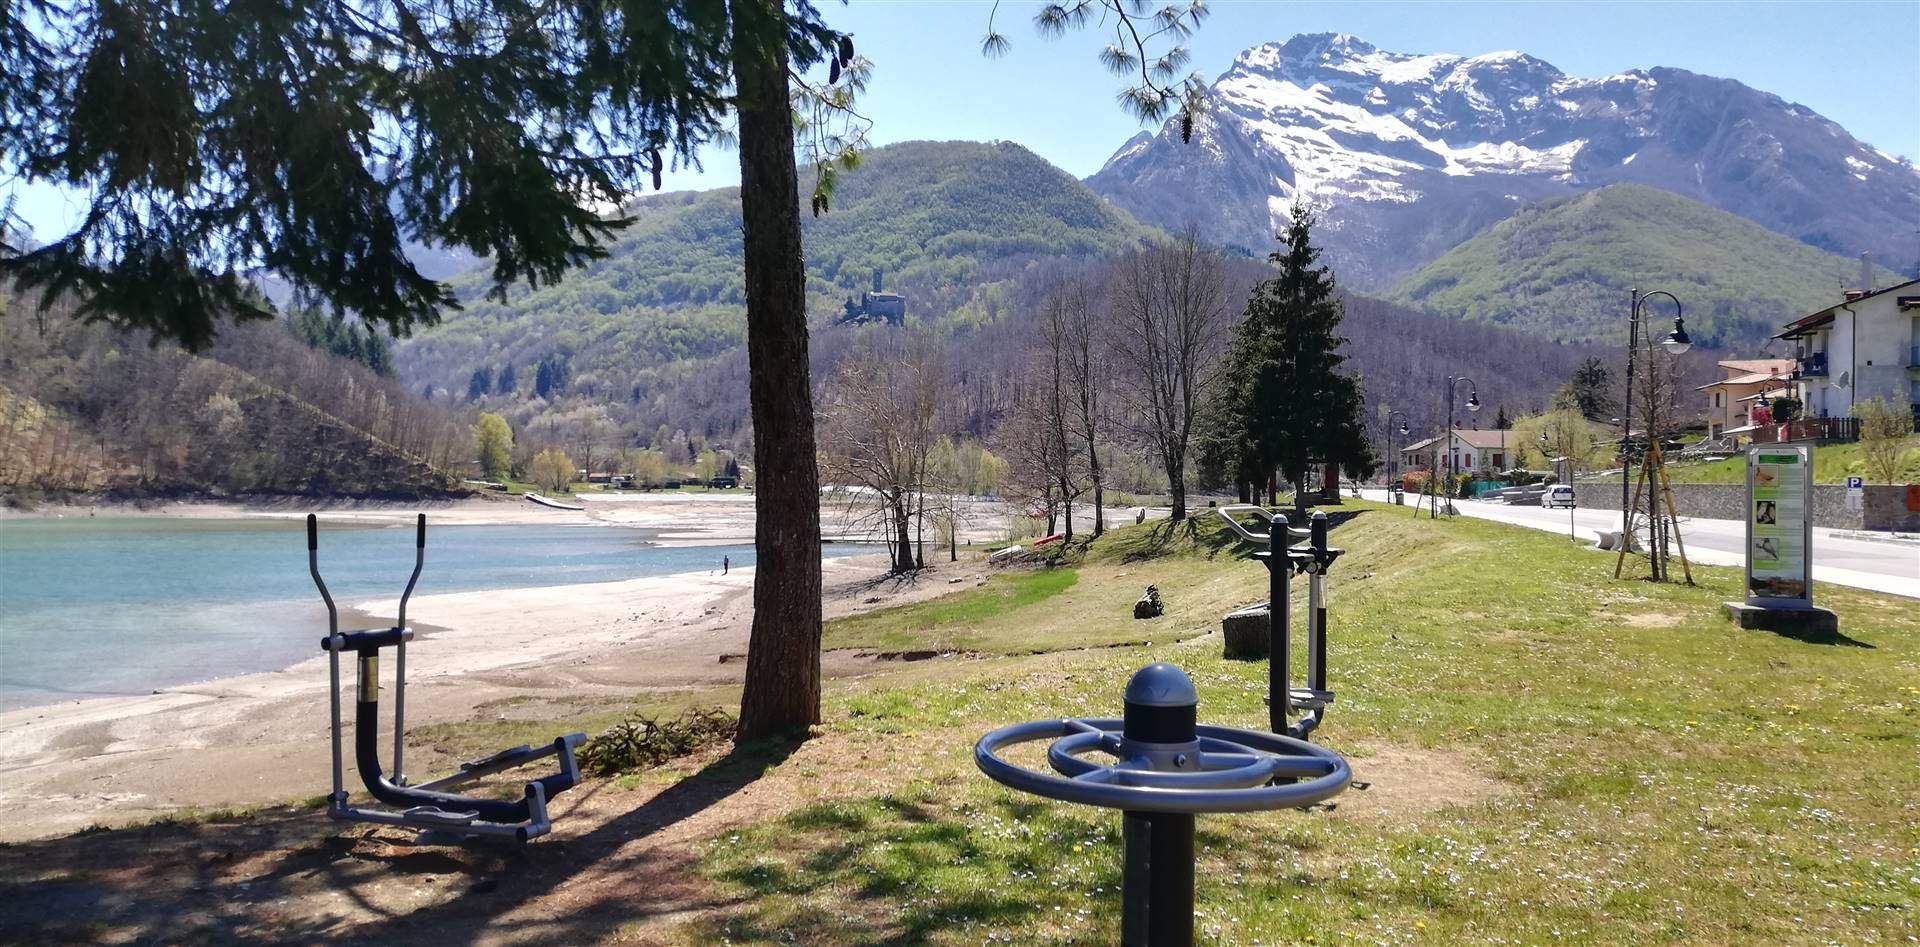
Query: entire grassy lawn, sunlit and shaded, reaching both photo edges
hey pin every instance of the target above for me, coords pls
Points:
(1554, 756)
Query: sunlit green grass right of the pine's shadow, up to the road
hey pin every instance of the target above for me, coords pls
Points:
(1595, 762)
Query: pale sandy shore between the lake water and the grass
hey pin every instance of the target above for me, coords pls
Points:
(521, 654)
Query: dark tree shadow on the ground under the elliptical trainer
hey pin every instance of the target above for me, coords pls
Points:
(293, 877)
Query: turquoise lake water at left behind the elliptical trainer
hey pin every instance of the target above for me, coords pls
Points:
(110, 606)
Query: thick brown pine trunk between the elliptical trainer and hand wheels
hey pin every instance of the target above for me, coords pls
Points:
(782, 689)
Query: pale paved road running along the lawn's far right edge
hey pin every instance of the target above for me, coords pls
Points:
(1875, 566)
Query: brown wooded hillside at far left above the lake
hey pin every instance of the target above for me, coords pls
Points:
(85, 408)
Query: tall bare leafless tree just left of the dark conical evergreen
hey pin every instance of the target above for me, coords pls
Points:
(1168, 312)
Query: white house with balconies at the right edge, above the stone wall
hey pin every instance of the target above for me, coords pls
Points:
(1861, 349)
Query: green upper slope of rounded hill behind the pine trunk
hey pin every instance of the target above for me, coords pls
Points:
(942, 222)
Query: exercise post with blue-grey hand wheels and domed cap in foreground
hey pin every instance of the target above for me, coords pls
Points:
(1166, 771)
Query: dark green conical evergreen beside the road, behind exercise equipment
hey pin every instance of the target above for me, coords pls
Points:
(1285, 404)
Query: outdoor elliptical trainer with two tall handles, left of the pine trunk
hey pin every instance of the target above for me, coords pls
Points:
(427, 806)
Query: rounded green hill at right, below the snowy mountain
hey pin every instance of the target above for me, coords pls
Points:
(1564, 268)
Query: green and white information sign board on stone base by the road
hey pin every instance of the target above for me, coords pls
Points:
(1779, 593)
